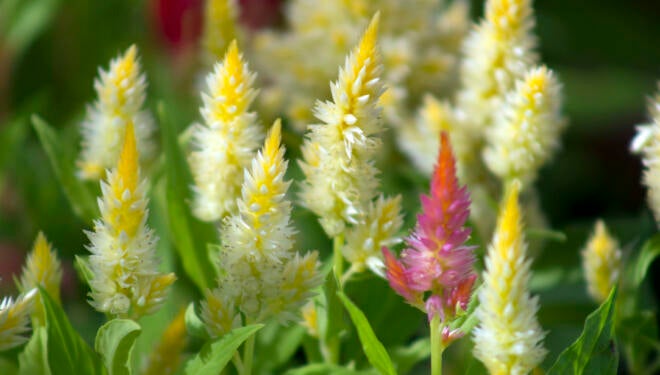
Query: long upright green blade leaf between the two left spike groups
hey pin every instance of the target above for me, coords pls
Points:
(189, 243)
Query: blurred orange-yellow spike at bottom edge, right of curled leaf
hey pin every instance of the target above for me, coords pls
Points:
(168, 352)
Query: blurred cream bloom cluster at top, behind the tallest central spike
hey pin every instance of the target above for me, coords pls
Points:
(420, 47)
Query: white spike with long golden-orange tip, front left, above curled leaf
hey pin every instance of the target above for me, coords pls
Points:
(126, 281)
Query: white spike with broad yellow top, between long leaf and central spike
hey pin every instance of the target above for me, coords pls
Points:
(227, 141)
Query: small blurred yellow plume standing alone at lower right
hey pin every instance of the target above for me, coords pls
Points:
(601, 262)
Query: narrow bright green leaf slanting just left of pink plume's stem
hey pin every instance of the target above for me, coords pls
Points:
(373, 349)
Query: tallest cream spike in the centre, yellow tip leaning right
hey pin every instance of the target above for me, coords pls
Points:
(340, 178)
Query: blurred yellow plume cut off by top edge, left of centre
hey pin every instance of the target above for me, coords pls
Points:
(220, 28)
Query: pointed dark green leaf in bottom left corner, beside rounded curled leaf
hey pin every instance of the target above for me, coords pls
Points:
(67, 352)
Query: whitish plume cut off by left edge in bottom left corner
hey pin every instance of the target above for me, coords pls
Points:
(14, 319)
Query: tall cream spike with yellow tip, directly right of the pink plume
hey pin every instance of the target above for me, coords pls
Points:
(508, 339)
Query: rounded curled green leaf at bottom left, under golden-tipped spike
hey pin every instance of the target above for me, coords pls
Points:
(114, 342)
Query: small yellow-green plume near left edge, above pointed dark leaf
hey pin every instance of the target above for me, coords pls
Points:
(42, 268)
